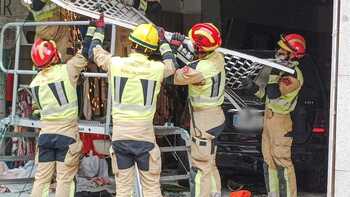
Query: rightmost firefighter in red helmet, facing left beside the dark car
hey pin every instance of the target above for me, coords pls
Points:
(281, 94)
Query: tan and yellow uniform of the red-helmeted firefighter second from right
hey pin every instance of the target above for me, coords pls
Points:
(206, 82)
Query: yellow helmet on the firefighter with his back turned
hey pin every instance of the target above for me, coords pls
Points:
(145, 35)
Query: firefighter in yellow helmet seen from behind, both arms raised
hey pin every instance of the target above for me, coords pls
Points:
(135, 83)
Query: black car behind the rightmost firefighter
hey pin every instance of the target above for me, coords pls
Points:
(239, 146)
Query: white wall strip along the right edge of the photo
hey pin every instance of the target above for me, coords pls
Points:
(341, 169)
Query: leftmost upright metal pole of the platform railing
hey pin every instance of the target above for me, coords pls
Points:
(15, 77)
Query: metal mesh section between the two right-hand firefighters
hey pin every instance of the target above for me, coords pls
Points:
(238, 68)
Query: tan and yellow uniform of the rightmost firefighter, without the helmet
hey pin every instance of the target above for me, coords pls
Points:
(276, 137)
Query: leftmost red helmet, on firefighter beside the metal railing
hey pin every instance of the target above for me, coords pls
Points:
(44, 52)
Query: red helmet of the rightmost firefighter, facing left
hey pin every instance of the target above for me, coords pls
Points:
(293, 43)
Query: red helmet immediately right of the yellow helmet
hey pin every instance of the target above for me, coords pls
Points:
(205, 36)
